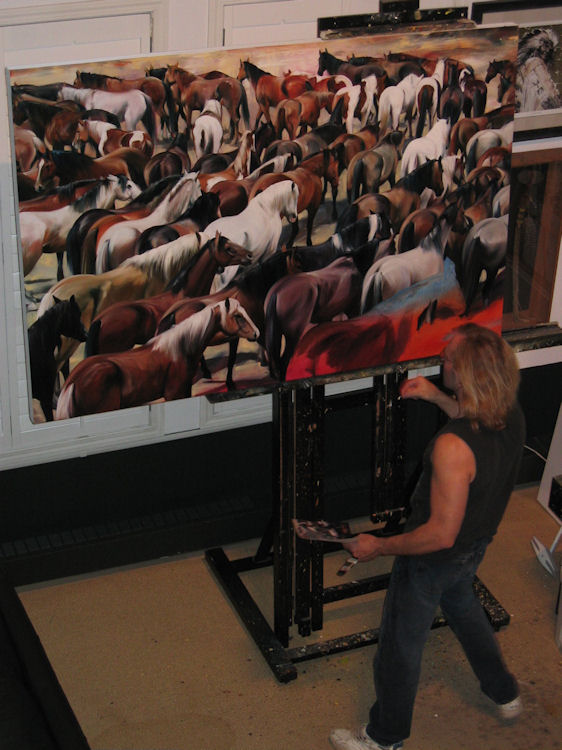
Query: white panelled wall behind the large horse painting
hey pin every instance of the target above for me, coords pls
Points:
(177, 25)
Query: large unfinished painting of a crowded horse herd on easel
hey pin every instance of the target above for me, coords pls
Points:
(222, 221)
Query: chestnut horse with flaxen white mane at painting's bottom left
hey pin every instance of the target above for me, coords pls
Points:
(163, 368)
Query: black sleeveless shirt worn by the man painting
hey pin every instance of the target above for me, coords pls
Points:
(497, 455)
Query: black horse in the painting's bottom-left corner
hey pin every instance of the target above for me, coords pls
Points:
(44, 336)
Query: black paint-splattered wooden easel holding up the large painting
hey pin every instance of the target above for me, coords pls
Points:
(299, 594)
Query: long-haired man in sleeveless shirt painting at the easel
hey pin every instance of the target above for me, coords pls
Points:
(469, 471)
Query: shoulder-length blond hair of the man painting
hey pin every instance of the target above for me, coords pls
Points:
(488, 373)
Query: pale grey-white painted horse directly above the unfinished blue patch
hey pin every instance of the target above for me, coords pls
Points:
(393, 273)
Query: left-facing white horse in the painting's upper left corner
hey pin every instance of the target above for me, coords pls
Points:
(131, 107)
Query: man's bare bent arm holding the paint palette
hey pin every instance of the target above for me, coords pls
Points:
(453, 469)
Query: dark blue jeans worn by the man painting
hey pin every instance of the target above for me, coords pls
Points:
(417, 586)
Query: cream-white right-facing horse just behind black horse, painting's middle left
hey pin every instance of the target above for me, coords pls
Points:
(117, 242)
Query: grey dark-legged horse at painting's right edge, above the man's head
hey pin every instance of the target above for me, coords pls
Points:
(484, 249)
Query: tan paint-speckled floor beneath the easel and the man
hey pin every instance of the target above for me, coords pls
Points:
(155, 658)
